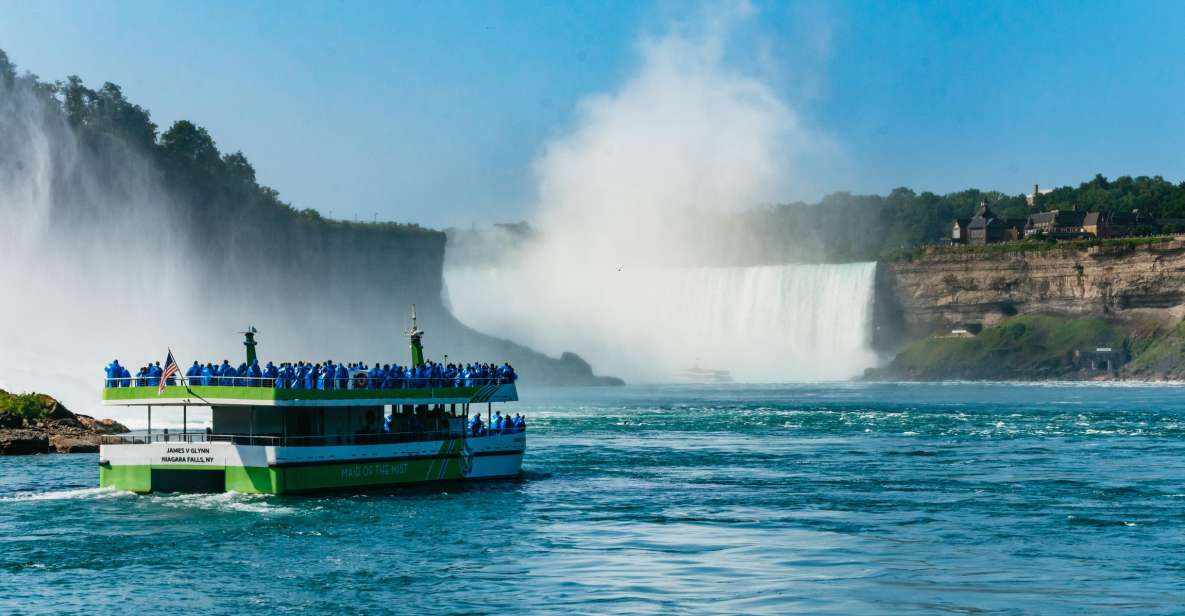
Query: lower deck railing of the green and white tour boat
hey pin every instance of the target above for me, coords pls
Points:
(371, 439)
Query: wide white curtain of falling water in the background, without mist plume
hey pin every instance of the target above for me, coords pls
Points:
(764, 324)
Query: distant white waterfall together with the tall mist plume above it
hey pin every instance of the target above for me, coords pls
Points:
(622, 268)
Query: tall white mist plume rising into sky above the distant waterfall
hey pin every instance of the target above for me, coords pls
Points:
(686, 133)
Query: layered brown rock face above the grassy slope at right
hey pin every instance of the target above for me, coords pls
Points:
(946, 288)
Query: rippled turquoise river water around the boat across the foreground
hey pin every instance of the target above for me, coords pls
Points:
(828, 499)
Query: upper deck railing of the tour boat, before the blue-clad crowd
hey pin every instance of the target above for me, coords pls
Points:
(354, 383)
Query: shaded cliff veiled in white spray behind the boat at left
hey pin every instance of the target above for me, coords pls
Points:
(104, 254)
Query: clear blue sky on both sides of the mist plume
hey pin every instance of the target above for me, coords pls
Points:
(437, 112)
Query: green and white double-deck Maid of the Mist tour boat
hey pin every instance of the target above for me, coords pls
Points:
(283, 440)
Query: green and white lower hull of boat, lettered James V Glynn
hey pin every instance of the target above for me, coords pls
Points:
(265, 470)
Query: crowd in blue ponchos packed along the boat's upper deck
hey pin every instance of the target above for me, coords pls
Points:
(329, 376)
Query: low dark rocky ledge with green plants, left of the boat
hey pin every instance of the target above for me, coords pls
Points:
(36, 423)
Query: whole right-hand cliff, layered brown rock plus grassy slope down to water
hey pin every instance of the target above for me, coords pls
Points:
(1107, 310)
